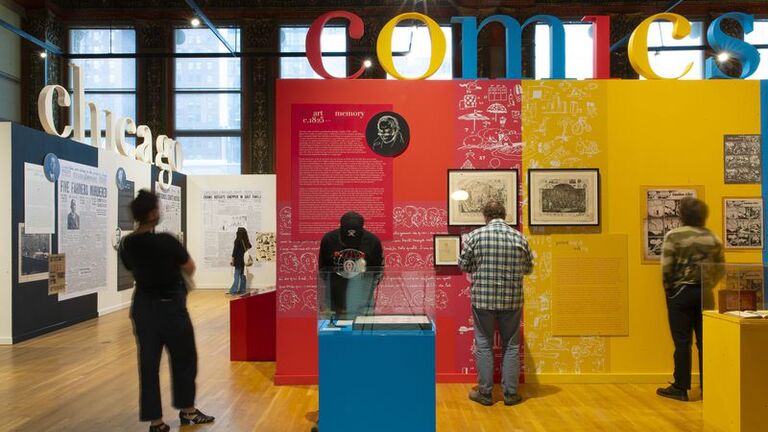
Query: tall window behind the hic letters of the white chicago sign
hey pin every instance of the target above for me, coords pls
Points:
(109, 82)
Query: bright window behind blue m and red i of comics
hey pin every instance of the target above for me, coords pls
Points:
(579, 51)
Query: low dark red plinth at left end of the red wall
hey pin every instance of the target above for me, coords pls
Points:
(252, 327)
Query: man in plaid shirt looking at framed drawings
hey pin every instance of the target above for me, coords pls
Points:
(496, 256)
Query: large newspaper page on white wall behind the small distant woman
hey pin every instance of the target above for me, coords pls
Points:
(223, 212)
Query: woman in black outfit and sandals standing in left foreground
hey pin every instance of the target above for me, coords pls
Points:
(159, 314)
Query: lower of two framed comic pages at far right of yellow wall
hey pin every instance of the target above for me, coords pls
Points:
(743, 223)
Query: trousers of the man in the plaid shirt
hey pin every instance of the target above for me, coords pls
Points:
(509, 329)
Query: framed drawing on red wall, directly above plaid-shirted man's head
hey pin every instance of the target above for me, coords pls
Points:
(468, 190)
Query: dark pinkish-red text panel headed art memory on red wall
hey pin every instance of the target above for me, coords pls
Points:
(336, 168)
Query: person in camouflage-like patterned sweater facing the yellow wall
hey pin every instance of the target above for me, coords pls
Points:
(683, 250)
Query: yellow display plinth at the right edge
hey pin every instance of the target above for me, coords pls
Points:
(735, 375)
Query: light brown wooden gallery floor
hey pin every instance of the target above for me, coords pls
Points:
(84, 379)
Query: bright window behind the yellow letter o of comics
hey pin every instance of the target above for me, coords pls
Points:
(416, 43)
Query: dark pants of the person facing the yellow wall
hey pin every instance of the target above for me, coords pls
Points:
(684, 313)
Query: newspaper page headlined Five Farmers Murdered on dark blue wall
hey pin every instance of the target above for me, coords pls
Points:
(83, 227)
